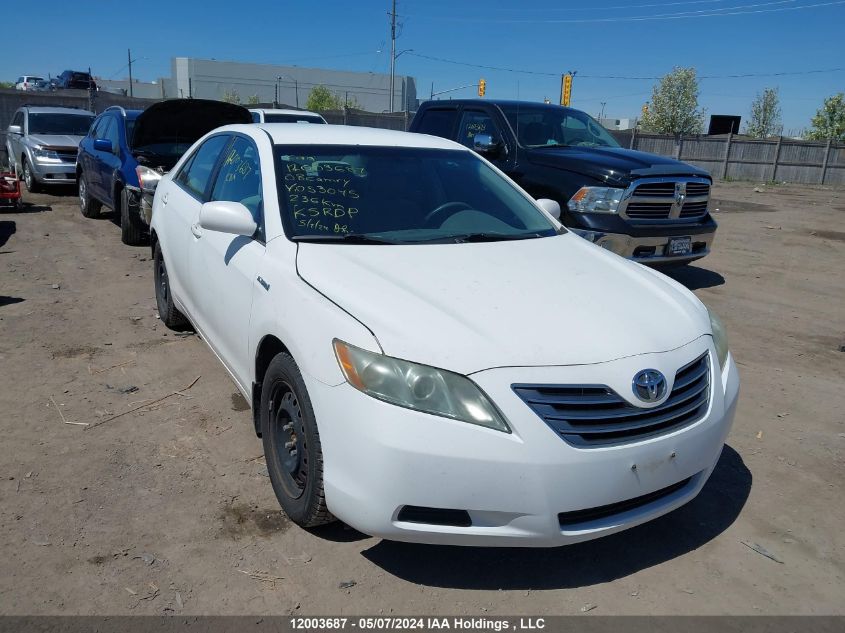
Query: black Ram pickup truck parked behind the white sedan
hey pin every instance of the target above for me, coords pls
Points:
(645, 207)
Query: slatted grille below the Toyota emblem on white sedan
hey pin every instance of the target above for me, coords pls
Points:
(595, 415)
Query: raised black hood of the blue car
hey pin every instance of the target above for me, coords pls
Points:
(184, 120)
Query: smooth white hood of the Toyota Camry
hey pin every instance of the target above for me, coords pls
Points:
(538, 302)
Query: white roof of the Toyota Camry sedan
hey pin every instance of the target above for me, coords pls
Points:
(287, 134)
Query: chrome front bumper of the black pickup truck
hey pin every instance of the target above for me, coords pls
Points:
(649, 249)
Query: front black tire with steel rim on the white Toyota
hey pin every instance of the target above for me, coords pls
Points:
(292, 444)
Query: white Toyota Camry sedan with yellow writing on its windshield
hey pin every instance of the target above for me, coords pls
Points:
(430, 356)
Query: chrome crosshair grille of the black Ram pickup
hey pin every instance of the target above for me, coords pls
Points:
(663, 200)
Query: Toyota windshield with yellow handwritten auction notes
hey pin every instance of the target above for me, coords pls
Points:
(400, 195)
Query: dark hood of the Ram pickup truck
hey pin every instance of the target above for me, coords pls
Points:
(612, 163)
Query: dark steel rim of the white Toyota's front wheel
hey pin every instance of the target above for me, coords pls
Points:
(290, 446)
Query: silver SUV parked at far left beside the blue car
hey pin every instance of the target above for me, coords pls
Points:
(42, 144)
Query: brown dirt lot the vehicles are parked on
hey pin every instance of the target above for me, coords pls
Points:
(168, 509)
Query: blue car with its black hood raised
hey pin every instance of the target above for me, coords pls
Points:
(126, 152)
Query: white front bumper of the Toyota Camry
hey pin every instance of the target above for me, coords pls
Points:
(379, 458)
